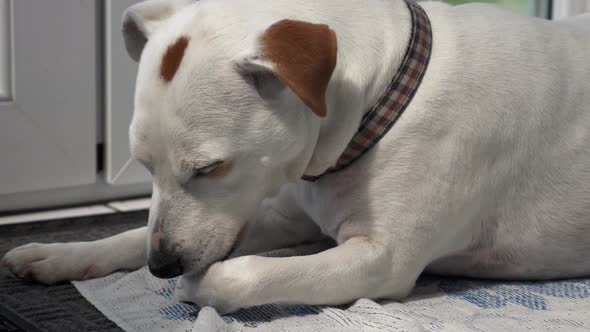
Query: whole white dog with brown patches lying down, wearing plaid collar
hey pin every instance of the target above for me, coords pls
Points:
(484, 171)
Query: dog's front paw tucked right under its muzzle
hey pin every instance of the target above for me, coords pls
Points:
(226, 286)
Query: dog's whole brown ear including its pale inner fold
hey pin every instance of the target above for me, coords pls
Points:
(297, 54)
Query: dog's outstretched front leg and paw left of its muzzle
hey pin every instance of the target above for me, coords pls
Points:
(56, 262)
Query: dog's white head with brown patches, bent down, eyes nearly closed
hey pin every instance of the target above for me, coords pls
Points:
(227, 110)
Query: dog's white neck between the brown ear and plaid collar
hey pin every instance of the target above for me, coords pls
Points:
(370, 52)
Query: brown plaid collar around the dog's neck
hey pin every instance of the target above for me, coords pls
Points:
(382, 116)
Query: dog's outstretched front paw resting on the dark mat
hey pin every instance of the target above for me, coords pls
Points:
(51, 263)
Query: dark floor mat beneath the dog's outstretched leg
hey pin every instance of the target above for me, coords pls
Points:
(59, 307)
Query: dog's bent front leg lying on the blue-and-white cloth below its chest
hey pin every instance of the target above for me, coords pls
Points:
(355, 269)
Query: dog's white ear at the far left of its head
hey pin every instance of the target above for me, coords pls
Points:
(142, 19)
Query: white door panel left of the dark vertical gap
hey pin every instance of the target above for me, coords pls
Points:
(48, 94)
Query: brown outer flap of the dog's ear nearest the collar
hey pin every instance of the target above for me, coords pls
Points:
(304, 56)
